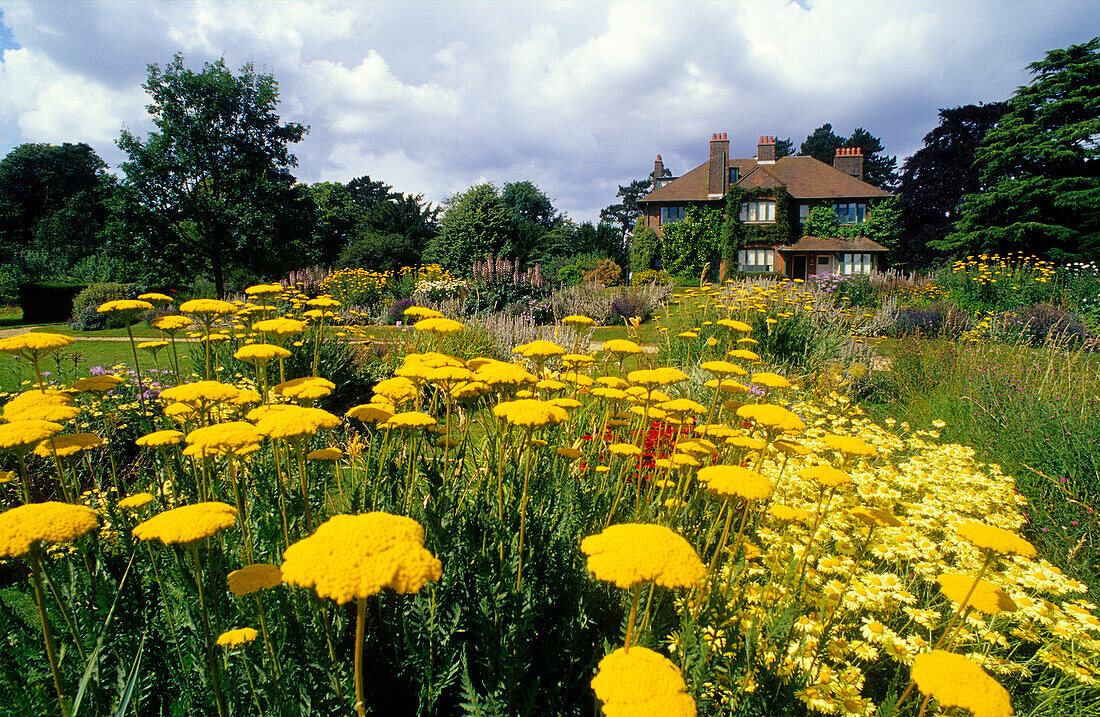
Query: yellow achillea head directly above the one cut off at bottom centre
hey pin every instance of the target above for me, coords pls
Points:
(633, 554)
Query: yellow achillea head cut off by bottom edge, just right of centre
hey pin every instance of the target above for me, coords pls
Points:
(641, 682)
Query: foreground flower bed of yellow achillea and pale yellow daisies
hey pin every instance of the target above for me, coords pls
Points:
(548, 533)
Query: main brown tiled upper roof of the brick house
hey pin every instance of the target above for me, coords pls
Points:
(804, 177)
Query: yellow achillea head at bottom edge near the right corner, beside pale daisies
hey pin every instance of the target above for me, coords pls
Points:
(956, 681)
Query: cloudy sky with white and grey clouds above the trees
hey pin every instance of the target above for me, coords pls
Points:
(578, 97)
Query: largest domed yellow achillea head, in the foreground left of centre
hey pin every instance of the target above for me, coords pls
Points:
(355, 557)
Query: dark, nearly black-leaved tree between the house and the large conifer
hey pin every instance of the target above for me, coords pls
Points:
(936, 179)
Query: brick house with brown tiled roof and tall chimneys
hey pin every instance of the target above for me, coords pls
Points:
(774, 240)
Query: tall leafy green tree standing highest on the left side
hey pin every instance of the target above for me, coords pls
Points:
(211, 187)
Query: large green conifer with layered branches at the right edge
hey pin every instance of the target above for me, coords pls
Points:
(1041, 167)
